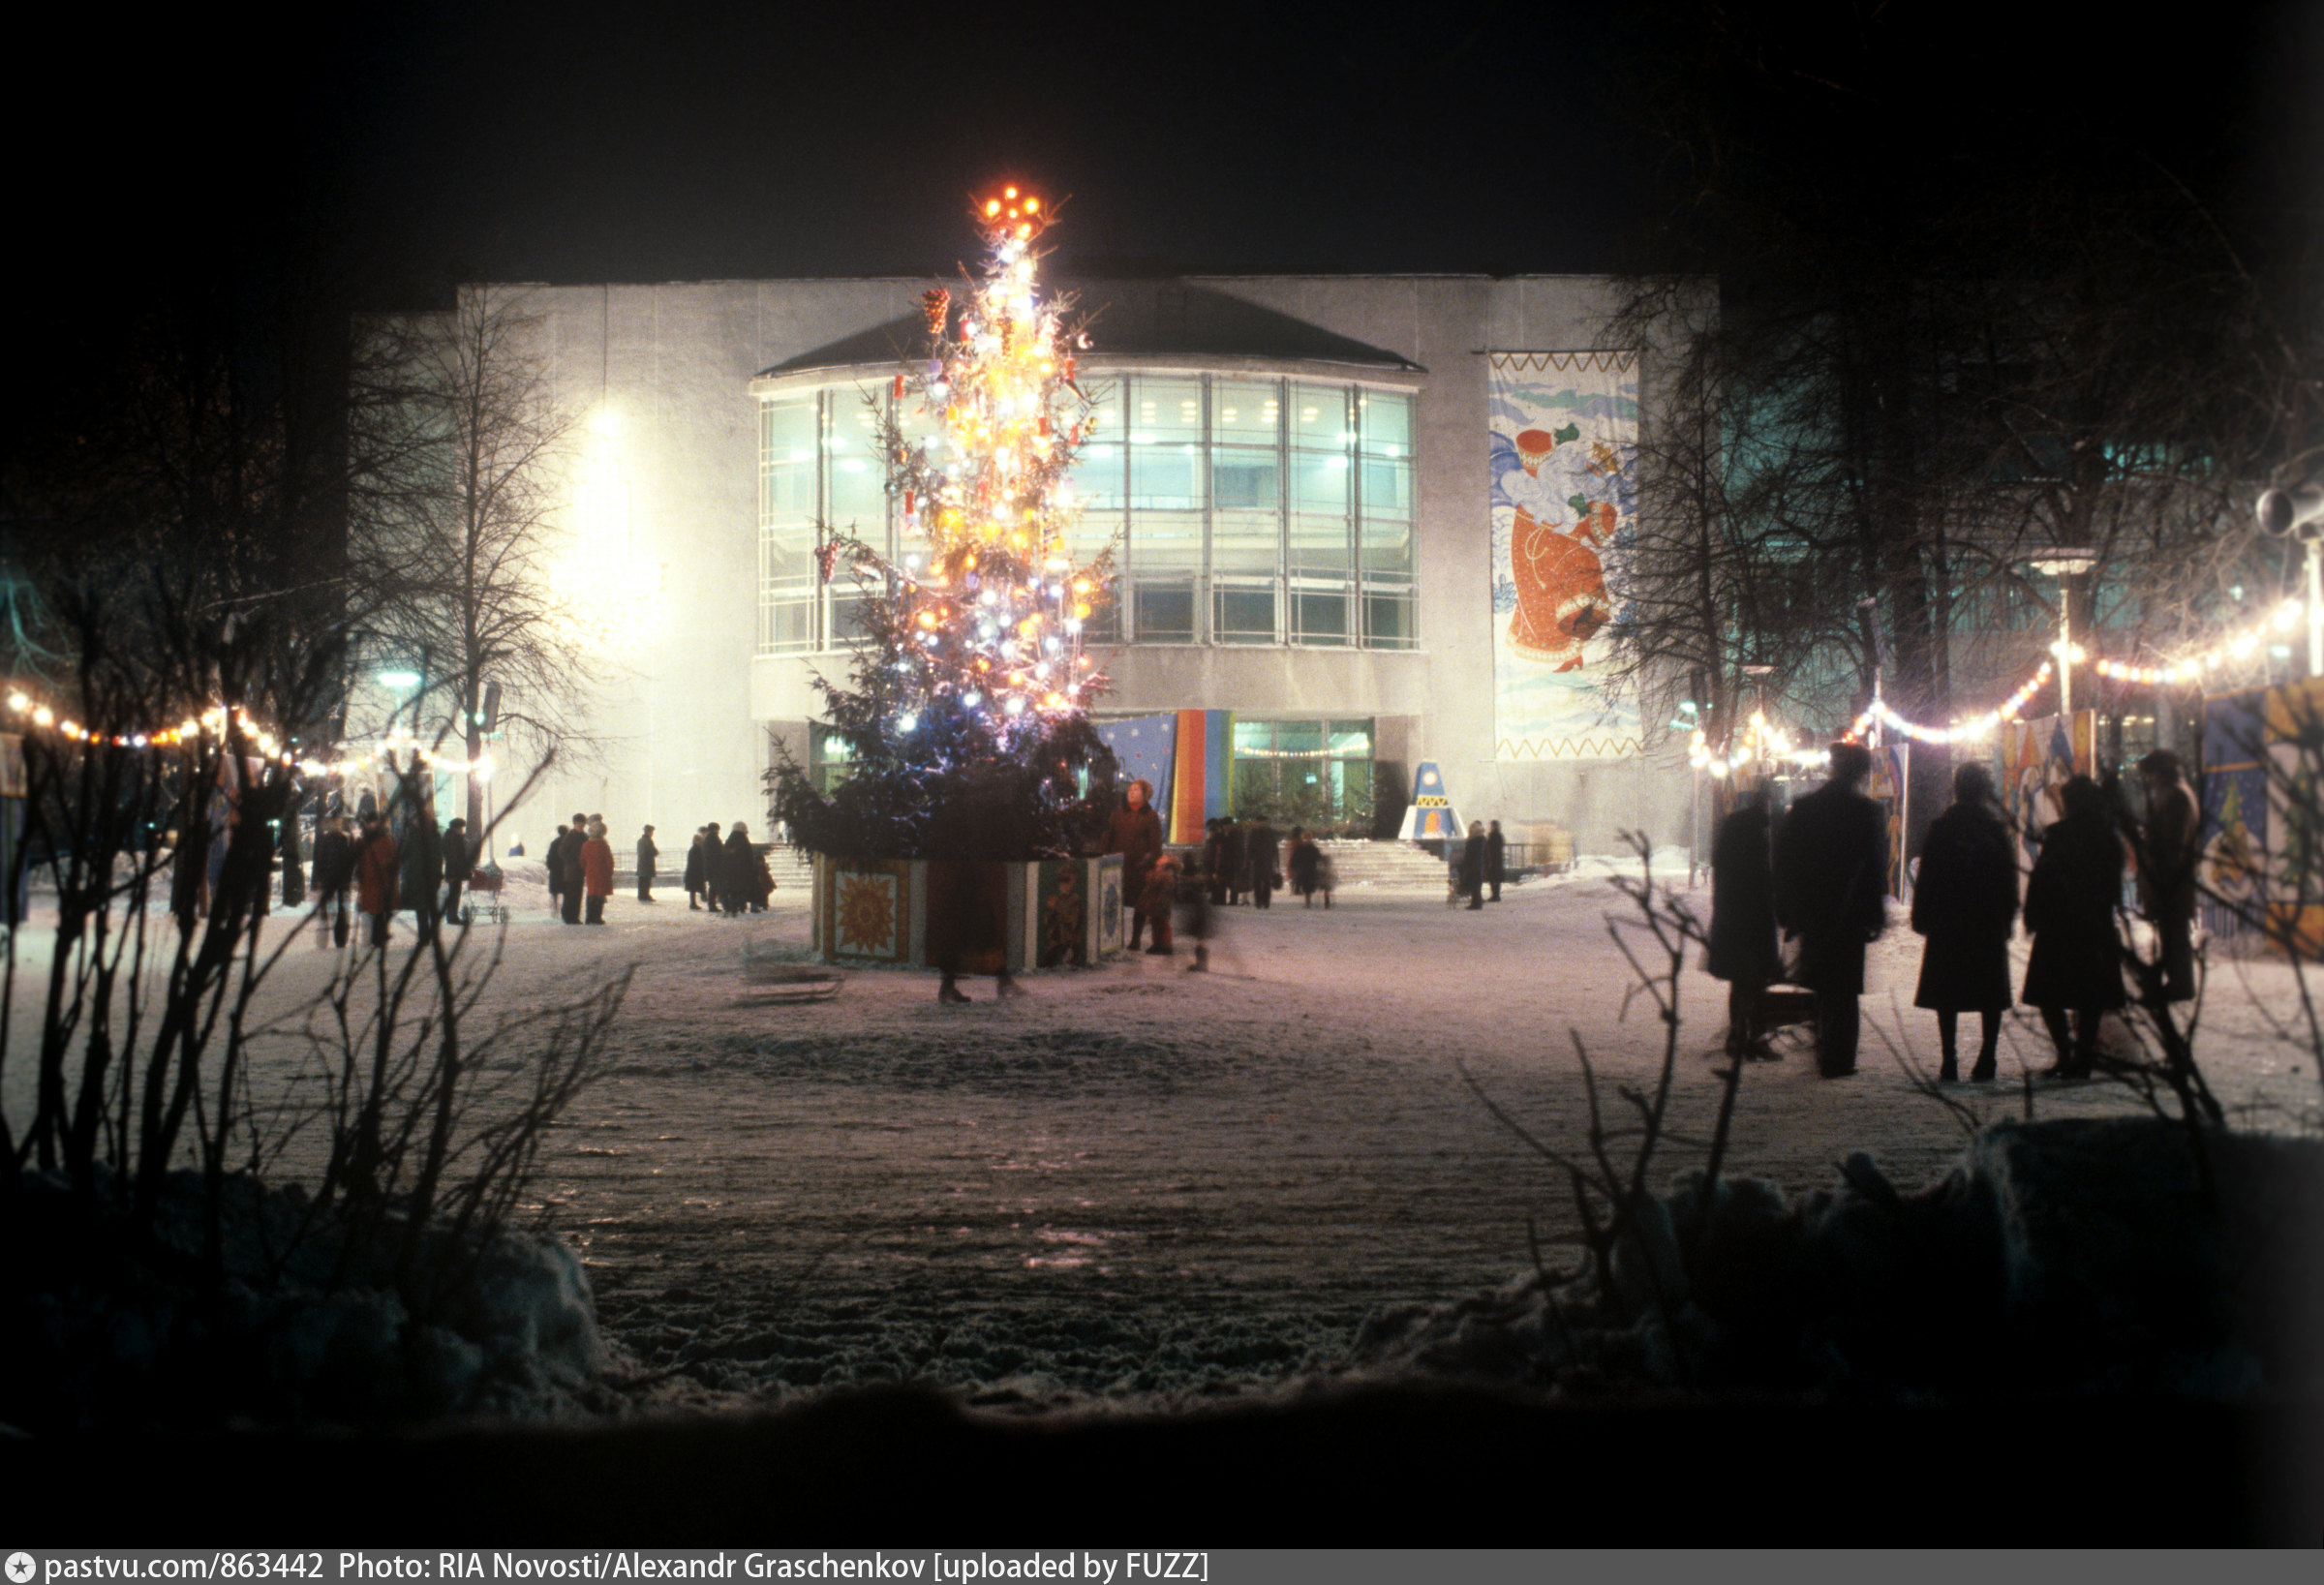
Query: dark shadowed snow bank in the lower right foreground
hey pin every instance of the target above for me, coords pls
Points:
(2072, 1256)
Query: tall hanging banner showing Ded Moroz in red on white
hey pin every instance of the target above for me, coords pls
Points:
(1565, 499)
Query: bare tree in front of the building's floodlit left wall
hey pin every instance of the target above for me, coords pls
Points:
(457, 522)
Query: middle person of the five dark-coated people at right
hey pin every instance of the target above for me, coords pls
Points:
(1965, 905)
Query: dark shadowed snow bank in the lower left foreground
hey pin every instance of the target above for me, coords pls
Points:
(106, 1328)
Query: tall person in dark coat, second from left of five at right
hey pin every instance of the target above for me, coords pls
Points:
(1832, 894)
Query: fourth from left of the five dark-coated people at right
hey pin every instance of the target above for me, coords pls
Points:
(2072, 898)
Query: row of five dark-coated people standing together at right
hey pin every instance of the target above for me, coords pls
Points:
(1819, 877)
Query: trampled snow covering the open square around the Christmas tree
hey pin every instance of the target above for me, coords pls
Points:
(1147, 1182)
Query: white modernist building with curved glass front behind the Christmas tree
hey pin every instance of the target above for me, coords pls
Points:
(1372, 517)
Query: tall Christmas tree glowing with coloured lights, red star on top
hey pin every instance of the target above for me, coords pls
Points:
(966, 717)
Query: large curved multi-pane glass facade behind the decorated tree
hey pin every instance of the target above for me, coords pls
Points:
(1240, 512)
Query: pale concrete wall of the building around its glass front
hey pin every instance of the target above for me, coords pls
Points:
(684, 703)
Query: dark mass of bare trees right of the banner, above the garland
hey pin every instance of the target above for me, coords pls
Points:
(1925, 373)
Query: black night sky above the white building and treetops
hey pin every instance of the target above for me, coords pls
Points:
(415, 145)
